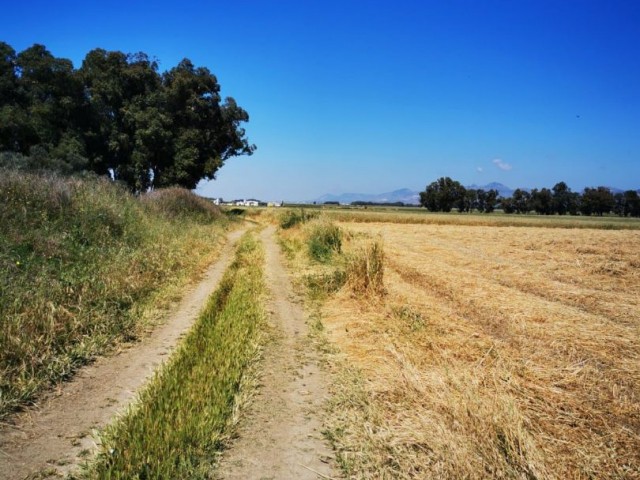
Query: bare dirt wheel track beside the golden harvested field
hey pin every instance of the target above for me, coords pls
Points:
(280, 436)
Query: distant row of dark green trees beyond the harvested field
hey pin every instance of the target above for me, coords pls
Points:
(445, 194)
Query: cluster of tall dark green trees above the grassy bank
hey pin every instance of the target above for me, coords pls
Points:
(117, 115)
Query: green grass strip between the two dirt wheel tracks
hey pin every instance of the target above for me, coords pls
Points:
(178, 424)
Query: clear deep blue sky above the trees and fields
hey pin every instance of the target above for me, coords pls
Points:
(371, 96)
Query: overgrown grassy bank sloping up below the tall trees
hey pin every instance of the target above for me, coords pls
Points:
(84, 265)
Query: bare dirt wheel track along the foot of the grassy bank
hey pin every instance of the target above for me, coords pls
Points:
(52, 438)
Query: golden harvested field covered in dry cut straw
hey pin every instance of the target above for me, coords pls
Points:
(497, 352)
